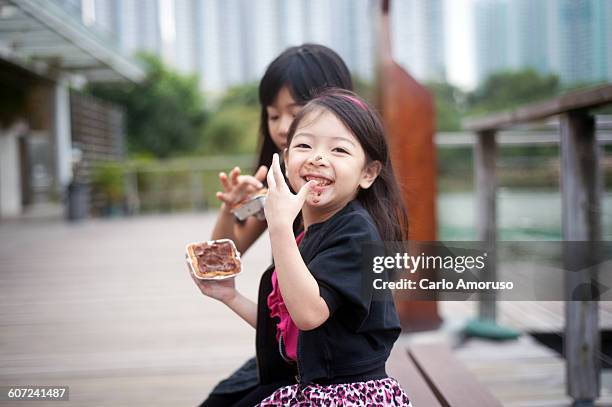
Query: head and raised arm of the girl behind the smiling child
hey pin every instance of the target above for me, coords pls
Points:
(290, 81)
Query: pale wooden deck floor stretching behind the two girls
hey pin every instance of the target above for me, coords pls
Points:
(107, 308)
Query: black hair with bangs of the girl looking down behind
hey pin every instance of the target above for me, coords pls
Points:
(305, 70)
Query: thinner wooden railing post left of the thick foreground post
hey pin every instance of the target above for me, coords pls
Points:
(485, 154)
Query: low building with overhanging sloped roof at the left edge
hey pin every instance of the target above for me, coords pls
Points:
(46, 51)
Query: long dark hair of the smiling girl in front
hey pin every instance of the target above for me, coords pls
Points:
(383, 199)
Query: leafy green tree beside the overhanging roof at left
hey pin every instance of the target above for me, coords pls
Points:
(164, 113)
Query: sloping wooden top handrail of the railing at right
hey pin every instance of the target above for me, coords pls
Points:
(589, 98)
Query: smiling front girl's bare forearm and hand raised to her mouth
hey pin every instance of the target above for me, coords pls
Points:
(299, 288)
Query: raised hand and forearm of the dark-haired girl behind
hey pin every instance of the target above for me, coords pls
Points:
(236, 188)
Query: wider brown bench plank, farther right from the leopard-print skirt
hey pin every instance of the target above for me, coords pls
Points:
(453, 383)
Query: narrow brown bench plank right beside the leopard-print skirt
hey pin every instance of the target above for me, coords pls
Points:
(402, 369)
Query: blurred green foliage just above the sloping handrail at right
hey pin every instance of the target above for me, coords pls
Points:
(507, 90)
